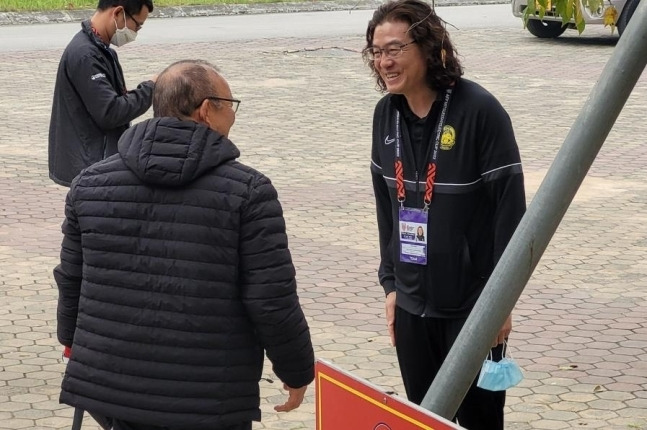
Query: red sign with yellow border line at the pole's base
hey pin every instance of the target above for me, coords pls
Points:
(345, 402)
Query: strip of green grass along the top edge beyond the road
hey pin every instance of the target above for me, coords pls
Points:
(39, 5)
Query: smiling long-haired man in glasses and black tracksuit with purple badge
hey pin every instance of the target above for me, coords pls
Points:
(474, 200)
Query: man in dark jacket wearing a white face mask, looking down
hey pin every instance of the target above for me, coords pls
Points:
(92, 106)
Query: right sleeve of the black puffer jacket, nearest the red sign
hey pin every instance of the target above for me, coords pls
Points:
(268, 286)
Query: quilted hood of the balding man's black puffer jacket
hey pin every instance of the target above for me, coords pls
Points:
(172, 152)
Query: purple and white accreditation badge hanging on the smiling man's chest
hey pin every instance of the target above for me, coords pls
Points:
(413, 235)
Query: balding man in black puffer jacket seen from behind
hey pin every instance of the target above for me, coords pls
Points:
(175, 273)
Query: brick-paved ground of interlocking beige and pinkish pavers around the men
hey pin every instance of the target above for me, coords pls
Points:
(580, 327)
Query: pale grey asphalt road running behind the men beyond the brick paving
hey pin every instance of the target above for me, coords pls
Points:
(251, 27)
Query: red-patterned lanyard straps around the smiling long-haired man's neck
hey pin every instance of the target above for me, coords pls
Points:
(431, 166)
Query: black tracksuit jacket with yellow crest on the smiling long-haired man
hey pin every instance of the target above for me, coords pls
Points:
(477, 203)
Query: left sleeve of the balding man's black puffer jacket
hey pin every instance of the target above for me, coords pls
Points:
(68, 273)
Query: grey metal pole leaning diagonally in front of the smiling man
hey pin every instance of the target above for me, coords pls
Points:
(540, 222)
